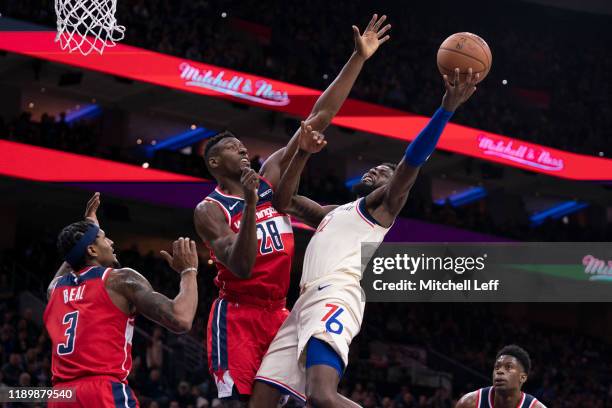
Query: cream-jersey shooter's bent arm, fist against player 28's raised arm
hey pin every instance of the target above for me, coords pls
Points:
(285, 199)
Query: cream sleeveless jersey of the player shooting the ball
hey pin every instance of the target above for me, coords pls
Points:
(335, 248)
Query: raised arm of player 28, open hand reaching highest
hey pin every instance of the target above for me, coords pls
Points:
(330, 102)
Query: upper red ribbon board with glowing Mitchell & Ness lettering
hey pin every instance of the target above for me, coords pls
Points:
(209, 80)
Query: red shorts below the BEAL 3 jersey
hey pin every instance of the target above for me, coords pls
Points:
(97, 392)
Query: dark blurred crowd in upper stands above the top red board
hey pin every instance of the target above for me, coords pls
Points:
(557, 91)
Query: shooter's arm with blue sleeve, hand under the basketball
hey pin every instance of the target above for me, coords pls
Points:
(386, 202)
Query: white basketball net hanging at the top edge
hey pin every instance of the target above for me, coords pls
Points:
(87, 25)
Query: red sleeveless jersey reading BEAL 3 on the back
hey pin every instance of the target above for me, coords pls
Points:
(90, 336)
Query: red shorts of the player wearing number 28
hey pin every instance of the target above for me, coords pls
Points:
(238, 337)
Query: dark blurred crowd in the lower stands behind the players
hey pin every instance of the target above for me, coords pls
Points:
(570, 369)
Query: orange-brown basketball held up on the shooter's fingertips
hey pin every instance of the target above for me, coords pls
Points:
(464, 50)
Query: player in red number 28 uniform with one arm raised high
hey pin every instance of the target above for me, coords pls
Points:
(252, 243)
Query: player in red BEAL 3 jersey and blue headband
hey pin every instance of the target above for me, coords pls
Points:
(92, 303)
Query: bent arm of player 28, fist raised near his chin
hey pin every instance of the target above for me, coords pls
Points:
(237, 251)
